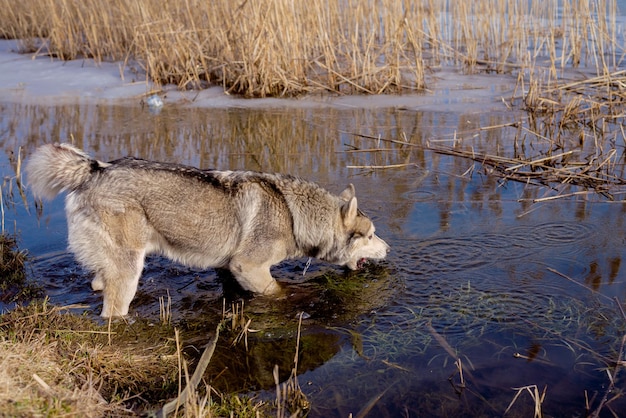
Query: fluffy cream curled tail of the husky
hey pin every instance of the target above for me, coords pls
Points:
(55, 168)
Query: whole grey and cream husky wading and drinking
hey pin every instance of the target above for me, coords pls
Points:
(120, 211)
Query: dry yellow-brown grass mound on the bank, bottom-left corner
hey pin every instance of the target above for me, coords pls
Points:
(61, 364)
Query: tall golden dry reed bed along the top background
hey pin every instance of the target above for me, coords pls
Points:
(282, 48)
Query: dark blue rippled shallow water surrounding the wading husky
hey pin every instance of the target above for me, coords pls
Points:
(477, 270)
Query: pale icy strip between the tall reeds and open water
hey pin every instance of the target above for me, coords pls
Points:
(41, 80)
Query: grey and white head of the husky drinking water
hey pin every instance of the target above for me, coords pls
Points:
(358, 234)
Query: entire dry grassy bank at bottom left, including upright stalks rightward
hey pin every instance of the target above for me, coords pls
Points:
(56, 363)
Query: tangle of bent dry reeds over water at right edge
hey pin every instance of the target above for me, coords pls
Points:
(579, 126)
